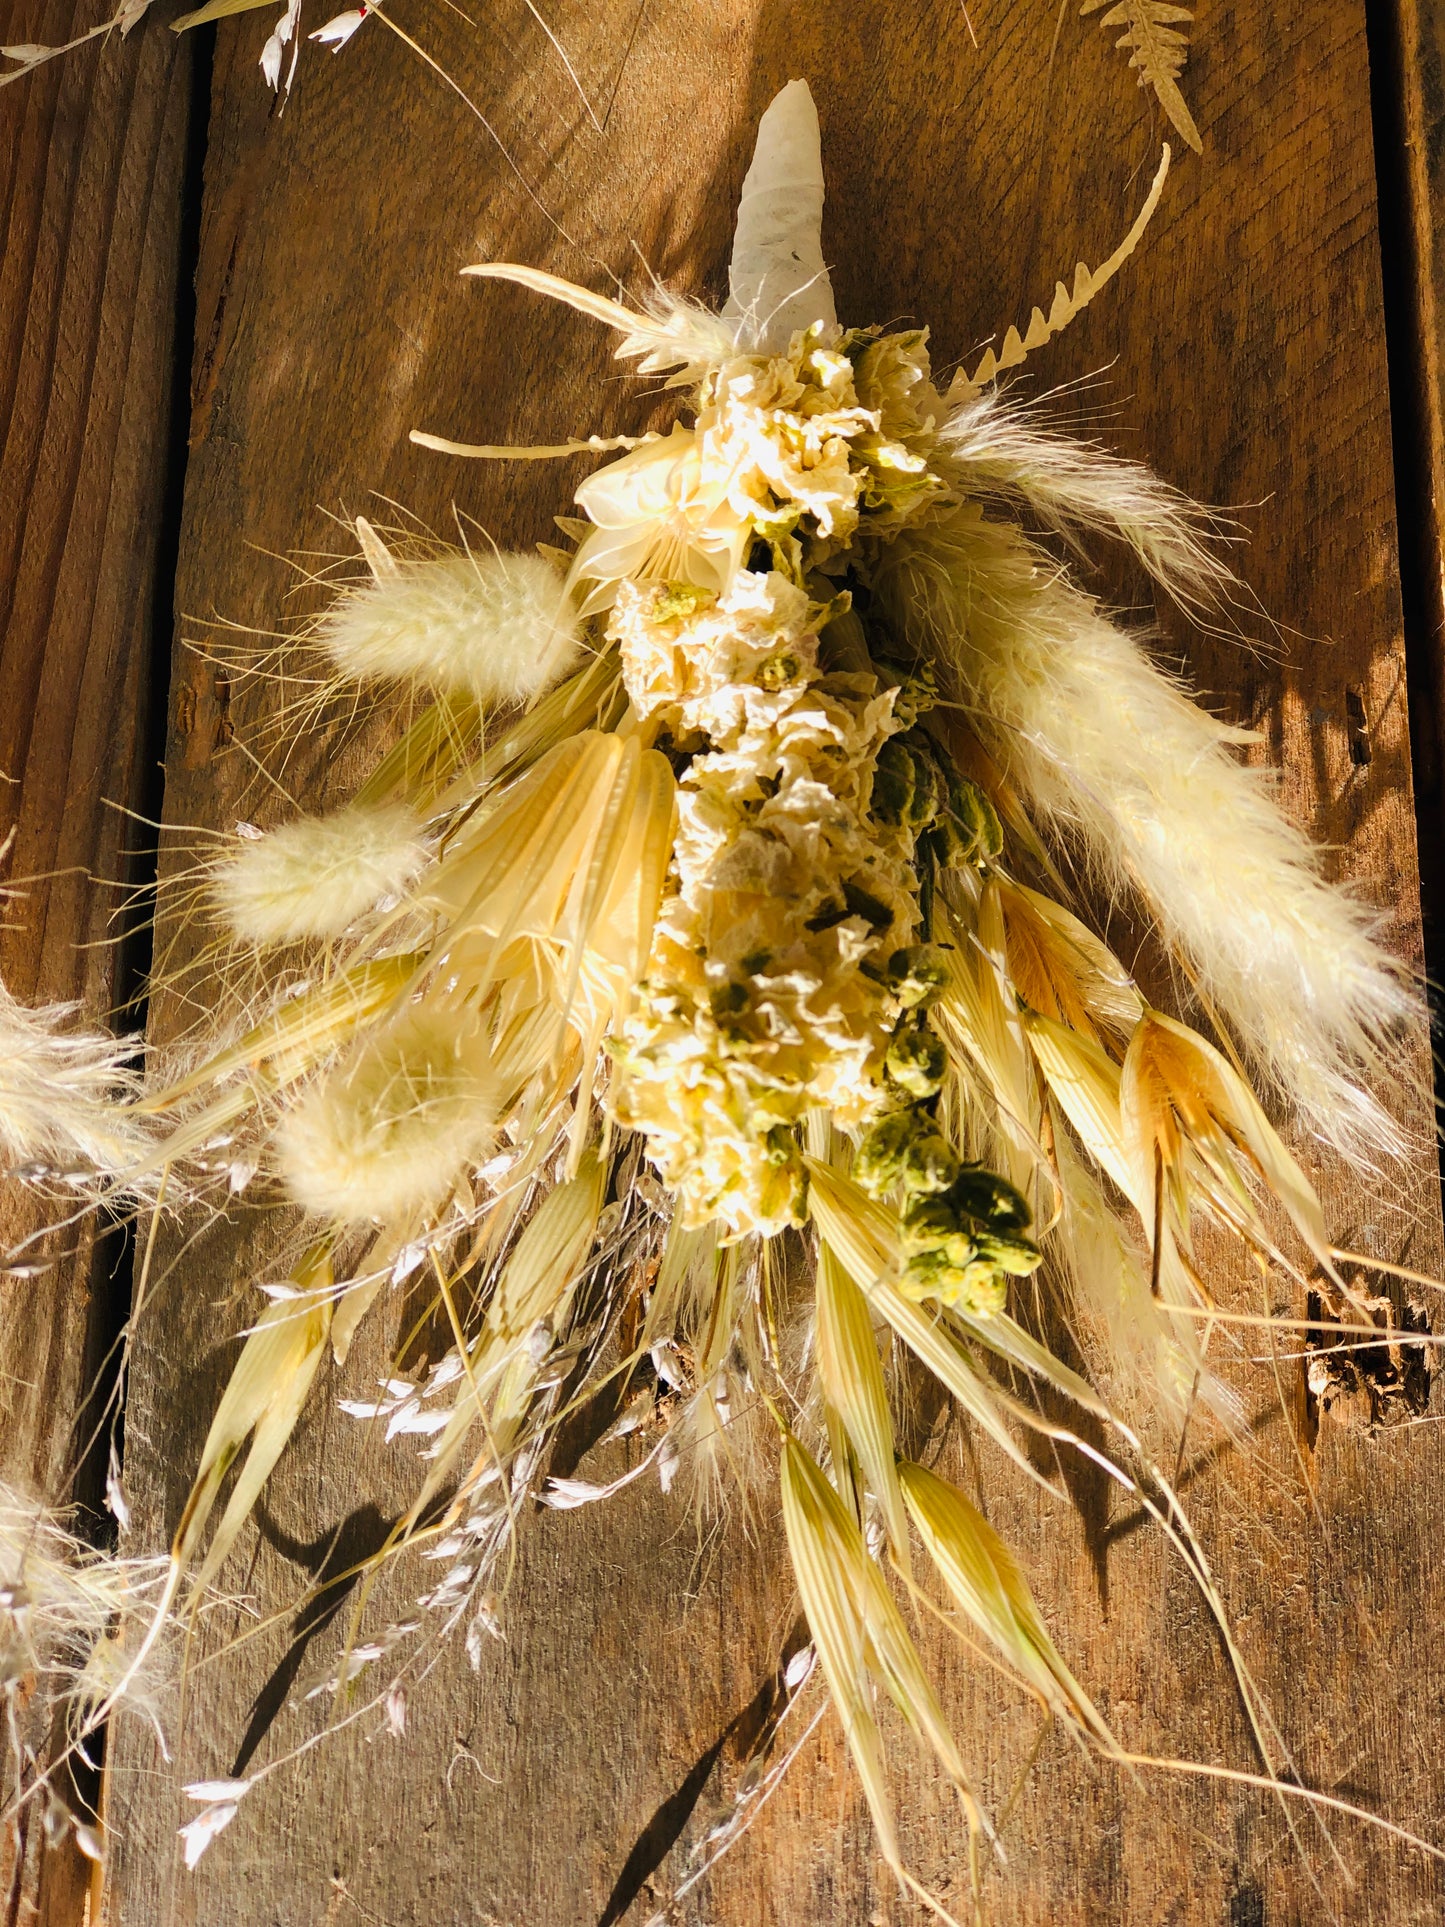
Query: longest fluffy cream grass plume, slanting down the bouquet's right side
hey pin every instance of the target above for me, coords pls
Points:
(1118, 762)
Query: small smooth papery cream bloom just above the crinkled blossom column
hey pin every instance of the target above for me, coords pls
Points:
(658, 519)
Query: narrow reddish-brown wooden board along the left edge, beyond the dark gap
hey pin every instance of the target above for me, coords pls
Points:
(92, 182)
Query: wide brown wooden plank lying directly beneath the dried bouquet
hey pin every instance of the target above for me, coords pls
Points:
(1246, 359)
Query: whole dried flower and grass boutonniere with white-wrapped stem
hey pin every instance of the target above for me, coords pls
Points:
(696, 1003)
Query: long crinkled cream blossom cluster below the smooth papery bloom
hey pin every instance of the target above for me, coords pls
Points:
(766, 990)
